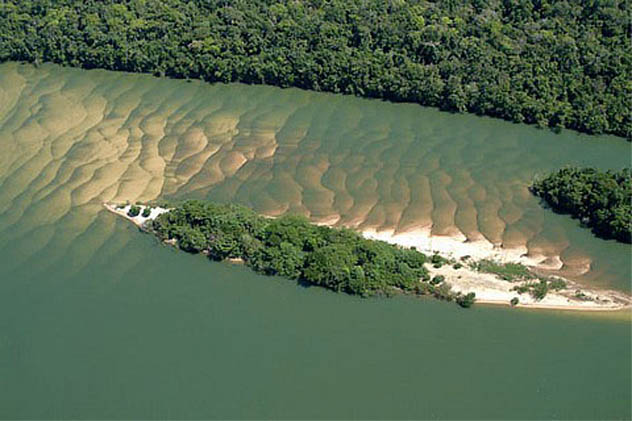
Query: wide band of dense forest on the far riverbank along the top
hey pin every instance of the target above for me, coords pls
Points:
(550, 63)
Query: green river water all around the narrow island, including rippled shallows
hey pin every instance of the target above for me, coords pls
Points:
(100, 321)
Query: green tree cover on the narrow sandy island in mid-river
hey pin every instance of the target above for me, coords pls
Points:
(292, 247)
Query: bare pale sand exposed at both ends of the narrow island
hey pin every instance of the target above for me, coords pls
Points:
(489, 288)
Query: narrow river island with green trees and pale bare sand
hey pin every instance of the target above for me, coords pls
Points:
(344, 260)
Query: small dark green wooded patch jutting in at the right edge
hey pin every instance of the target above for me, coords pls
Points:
(601, 200)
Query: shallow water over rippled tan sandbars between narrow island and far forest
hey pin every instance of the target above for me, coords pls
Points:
(72, 139)
